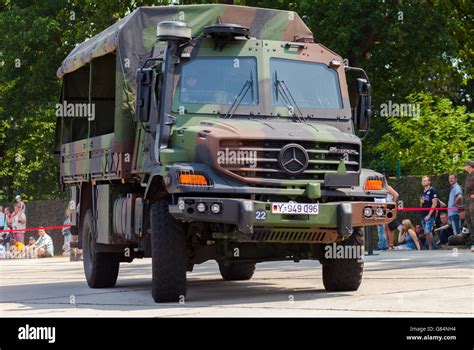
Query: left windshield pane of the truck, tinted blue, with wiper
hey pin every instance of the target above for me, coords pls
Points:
(218, 80)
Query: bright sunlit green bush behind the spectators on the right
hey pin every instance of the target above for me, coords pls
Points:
(440, 140)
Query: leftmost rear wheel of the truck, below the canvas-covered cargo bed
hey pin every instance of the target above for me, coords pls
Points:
(101, 269)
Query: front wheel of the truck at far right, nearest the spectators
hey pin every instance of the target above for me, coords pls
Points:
(345, 274)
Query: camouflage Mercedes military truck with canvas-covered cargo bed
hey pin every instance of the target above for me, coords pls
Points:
(219, 133)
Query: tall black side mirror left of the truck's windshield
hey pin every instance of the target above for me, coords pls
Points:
(144, 78)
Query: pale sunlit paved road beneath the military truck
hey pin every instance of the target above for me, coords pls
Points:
(438, 283)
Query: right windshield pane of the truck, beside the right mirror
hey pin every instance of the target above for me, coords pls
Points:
(312, 85)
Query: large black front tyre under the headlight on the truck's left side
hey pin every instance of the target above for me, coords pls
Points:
(169, 258)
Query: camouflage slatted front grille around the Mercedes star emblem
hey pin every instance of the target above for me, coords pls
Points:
(258, 160)
